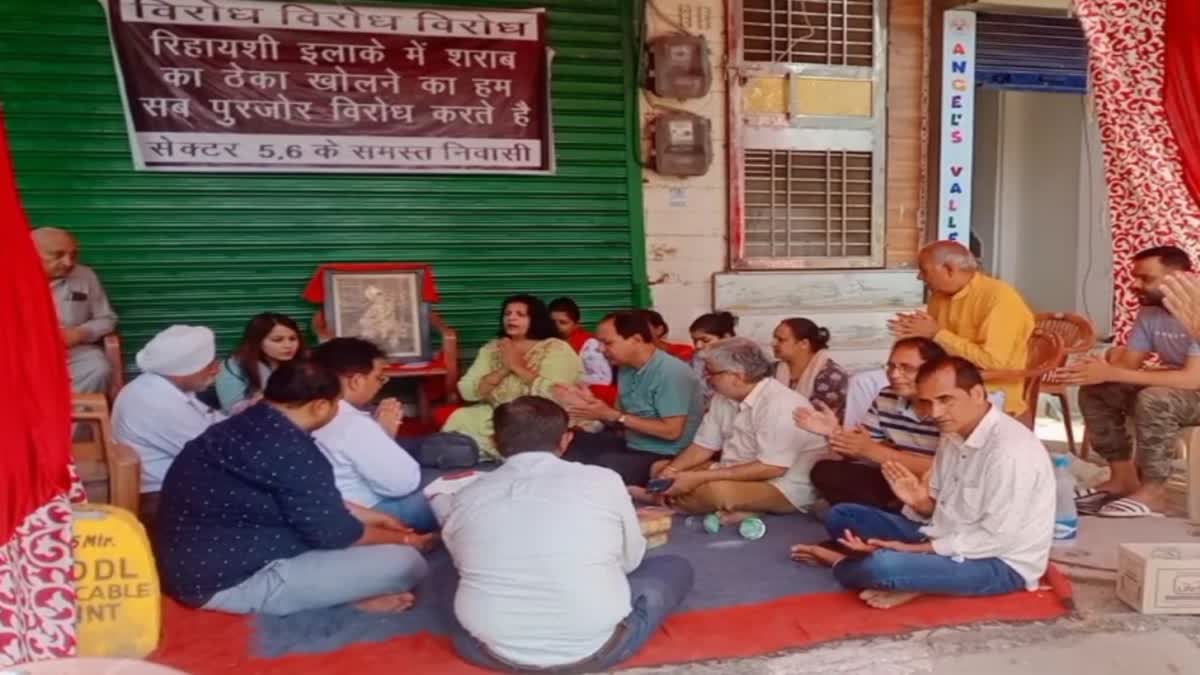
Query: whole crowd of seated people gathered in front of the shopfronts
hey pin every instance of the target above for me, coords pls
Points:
(293, 493)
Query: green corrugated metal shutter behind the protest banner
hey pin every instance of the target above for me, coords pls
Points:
(215, 249)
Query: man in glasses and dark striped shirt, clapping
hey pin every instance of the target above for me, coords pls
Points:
(891, 432)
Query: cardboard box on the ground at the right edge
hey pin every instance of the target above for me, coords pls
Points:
(1160, 578)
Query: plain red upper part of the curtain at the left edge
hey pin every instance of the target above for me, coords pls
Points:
(35, 416)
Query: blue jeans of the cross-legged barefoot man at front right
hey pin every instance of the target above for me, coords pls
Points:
(921, 574)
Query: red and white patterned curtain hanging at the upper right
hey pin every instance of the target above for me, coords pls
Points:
(1149, 199)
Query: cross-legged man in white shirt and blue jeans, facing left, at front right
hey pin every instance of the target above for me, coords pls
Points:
(983, 523)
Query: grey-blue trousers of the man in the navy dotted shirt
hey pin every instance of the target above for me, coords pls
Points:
(321, 580)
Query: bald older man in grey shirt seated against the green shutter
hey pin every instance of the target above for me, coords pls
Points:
(83, 307)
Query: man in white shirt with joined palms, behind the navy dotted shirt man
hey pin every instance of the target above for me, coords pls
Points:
(370, 469)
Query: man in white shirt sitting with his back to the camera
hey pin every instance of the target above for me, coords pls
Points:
(543, 549)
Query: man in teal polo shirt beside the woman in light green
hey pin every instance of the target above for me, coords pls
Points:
(661, 404)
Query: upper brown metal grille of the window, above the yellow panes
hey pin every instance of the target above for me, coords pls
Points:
(833, 33)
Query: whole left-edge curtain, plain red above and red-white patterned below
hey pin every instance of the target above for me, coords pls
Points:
(38, 598)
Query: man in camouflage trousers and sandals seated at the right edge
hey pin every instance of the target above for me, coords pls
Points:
(1160, 402)
